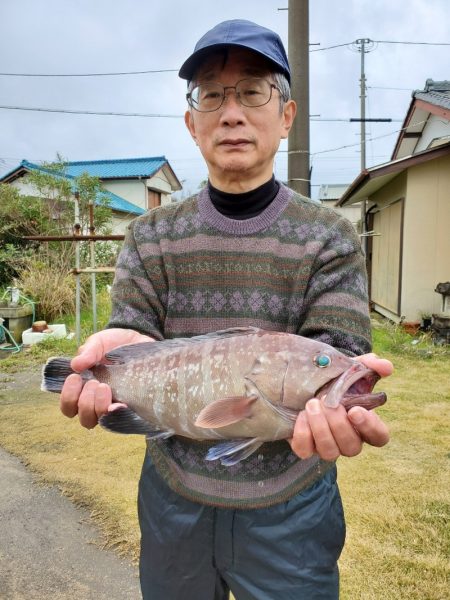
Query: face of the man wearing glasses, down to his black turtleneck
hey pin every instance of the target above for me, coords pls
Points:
(239, 143)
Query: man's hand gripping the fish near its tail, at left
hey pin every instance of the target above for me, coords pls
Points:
(91, 401)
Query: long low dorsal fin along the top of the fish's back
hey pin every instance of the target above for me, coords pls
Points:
(123, 354)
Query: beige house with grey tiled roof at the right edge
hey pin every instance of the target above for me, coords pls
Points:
(408, 211)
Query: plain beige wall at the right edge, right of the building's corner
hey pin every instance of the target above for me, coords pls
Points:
(426, 237)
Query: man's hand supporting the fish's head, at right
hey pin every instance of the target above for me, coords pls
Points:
(332, 432)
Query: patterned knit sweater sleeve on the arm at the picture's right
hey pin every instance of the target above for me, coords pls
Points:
(336, 301)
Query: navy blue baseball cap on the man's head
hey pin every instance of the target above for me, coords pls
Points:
(243, 34)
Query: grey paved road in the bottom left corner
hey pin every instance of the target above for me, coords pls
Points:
(48, 546)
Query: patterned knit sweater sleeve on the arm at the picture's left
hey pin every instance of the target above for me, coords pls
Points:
(137, 299)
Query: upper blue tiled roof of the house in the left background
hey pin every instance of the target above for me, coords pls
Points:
(117, 169)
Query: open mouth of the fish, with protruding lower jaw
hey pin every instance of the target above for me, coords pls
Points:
(353, 388)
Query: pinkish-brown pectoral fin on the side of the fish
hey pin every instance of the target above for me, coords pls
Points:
(226, 411)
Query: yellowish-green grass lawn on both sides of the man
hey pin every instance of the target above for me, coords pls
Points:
(396, 499)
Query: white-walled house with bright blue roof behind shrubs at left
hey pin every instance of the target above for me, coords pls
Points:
(132, 185)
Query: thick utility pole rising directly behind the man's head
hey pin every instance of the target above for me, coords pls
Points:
(298, 51)
